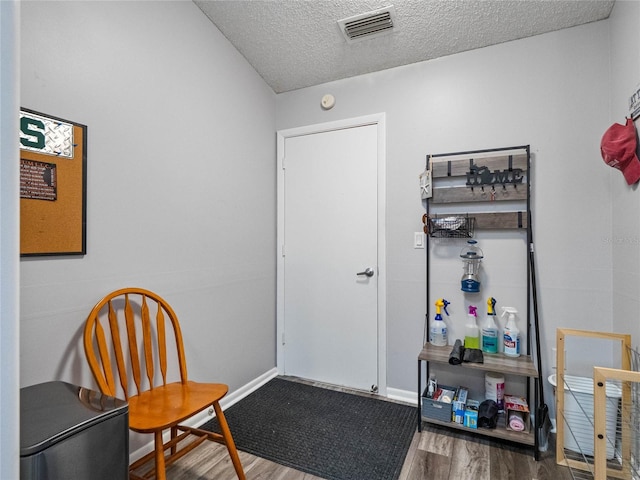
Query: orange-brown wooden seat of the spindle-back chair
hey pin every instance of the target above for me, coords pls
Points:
(168, 405)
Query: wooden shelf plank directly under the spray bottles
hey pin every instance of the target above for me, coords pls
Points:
(522, 365)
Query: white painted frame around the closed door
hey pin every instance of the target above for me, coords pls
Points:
(379, 120)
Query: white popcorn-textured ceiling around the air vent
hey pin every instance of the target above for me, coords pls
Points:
(297, 43)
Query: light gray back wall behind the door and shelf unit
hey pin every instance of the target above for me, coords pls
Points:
(550, 91)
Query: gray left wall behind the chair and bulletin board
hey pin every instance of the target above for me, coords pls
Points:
(181, 198)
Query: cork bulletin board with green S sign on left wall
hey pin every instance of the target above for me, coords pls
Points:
(53, 185)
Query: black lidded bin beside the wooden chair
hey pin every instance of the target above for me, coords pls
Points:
(70, 432)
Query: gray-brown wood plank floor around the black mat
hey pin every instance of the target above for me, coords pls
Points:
(436, 453)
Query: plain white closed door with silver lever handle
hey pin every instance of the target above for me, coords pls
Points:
(329, 225)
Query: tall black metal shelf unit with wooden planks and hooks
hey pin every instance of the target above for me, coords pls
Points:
(490, 182)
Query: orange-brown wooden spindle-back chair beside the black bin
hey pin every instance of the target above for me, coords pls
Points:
(121, 339)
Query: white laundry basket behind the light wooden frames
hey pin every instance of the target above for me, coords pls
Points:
(578, 414)
